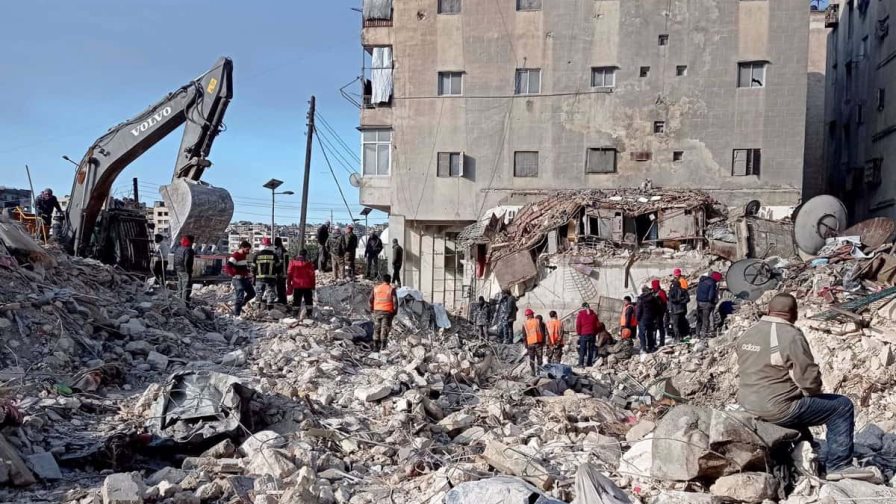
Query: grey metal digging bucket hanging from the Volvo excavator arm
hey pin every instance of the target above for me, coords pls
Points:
(197, 209)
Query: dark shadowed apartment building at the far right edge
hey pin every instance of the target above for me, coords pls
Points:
(860, 144)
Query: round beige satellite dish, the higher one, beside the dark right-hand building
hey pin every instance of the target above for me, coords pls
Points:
(818, 219)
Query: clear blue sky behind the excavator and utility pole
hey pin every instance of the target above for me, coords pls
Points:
(71, 70)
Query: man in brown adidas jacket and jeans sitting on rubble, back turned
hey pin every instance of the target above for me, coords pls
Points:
(779, 382)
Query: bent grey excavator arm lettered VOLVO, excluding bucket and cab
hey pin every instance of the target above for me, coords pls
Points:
(200, 105)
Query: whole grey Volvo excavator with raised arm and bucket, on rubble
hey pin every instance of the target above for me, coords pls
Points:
(93, 228)
